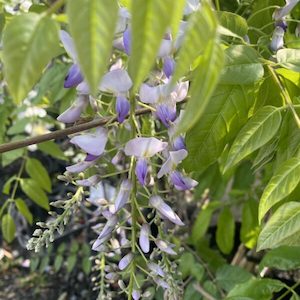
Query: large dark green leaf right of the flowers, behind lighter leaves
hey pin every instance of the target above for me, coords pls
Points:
(221, 121)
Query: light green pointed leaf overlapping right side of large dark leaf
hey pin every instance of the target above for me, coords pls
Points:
(256, 133)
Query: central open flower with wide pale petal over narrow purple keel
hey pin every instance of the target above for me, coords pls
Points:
(143, 148)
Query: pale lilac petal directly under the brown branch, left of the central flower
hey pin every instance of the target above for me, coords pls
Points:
(92, 143)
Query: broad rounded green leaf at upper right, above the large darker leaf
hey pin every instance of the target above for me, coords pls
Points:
(241, 66)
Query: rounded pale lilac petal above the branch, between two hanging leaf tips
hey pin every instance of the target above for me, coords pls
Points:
(116, 82)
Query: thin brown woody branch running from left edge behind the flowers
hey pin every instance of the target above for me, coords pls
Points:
(63, 132)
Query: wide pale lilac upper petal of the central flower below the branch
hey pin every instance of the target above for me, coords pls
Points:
(144, 147)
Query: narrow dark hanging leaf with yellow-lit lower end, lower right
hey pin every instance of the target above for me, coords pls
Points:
(249, 229)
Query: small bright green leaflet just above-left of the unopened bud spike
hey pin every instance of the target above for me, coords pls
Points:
(35, 193)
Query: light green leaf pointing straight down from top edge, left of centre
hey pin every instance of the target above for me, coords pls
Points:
(92, 25)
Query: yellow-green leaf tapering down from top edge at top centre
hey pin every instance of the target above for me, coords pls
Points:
(150, 19)
